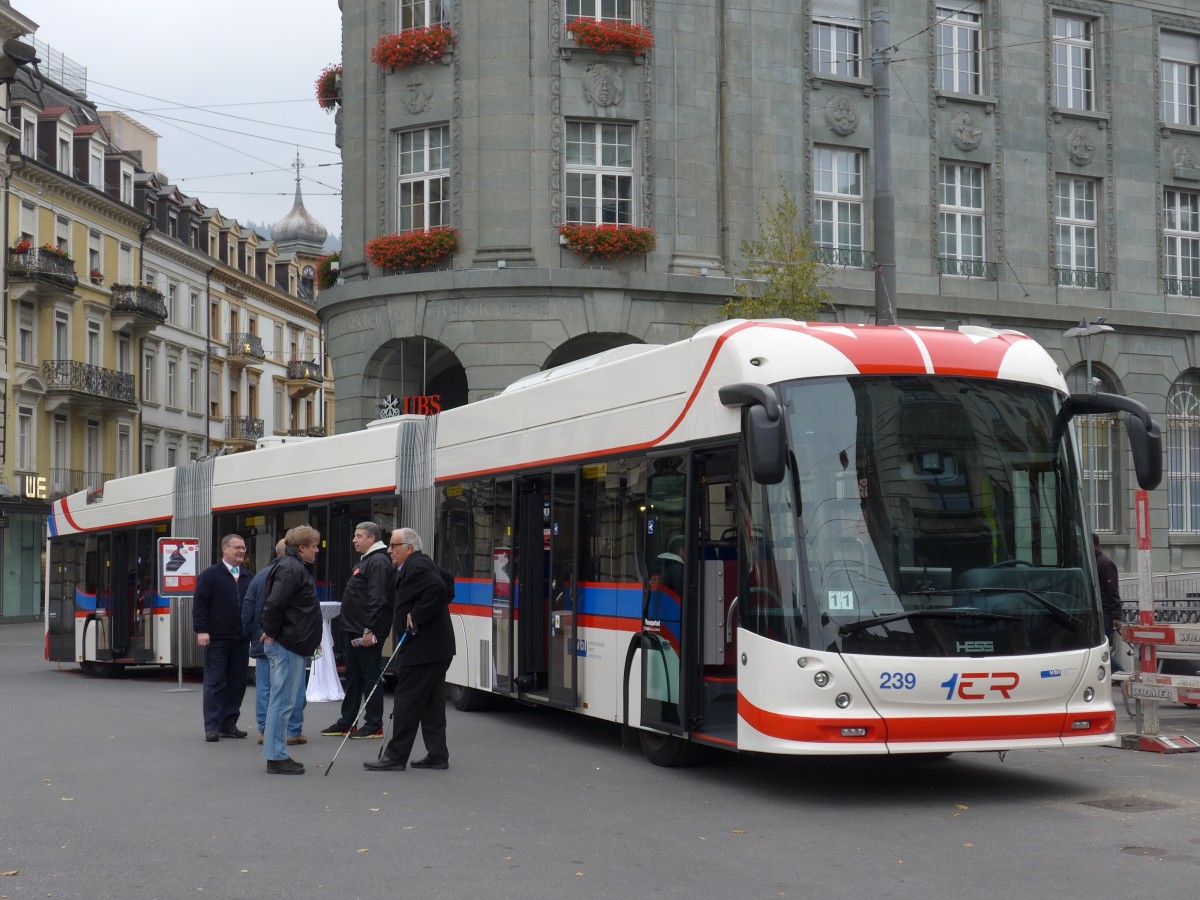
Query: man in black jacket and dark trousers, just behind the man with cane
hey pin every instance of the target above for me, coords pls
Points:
(367, 616)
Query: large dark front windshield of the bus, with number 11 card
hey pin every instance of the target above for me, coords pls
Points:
(933, 518)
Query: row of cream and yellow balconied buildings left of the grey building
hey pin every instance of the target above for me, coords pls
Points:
(142, 328)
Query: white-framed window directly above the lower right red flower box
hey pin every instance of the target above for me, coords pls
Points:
(601, 183)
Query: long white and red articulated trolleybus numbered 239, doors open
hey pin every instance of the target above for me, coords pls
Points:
(772, 537)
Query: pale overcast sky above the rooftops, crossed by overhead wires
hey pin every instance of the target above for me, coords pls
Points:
(227, 85)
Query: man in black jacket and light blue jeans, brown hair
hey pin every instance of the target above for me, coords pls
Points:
(291, 626)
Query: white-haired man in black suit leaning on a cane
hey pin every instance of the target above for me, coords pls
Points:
(423, 610)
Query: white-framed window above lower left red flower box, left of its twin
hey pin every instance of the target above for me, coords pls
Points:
(423, 179)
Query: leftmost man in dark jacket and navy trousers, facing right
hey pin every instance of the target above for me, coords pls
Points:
(217, 620)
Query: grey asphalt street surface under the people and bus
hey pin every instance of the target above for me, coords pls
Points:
(110, 791)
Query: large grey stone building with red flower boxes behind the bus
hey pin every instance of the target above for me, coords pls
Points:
(1046, 163)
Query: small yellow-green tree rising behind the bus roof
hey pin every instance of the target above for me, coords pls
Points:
(779, 277)
